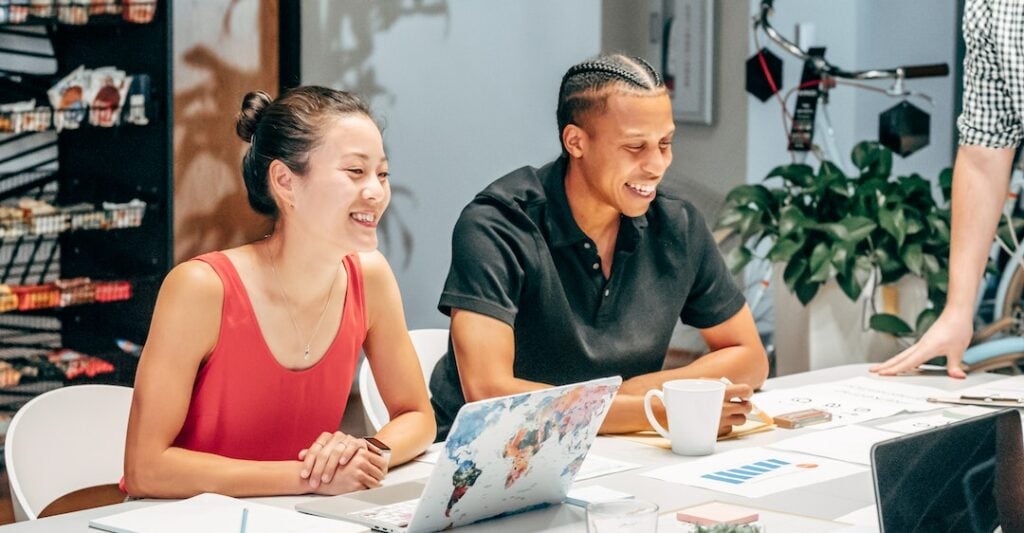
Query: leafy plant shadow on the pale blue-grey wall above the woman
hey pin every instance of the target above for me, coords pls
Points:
(353, 26)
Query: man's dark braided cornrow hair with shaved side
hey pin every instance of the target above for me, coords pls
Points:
(583, 86)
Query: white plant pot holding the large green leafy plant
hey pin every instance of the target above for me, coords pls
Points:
(833, 331)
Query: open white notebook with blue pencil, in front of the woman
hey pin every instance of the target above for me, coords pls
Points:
(218, 513)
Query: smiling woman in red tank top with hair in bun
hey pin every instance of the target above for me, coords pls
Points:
(252, 351)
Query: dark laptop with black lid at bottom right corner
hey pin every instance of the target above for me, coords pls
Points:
(965, 477)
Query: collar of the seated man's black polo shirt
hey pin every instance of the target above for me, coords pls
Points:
(562, 228)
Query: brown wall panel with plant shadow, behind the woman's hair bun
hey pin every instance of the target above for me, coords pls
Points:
(211, 210)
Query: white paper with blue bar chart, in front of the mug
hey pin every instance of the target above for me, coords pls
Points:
(755, 472)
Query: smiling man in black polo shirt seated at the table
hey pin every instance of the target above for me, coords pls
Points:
(581, 270)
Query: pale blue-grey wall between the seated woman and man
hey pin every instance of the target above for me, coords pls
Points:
(466, 92)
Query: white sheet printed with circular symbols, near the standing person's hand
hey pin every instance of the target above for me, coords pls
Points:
(850, 402)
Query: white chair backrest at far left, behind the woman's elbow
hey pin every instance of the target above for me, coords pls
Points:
(66, 440)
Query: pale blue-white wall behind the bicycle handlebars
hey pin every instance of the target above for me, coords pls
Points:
(859, 35)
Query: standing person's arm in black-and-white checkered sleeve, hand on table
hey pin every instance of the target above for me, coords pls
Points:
(991, 130)
